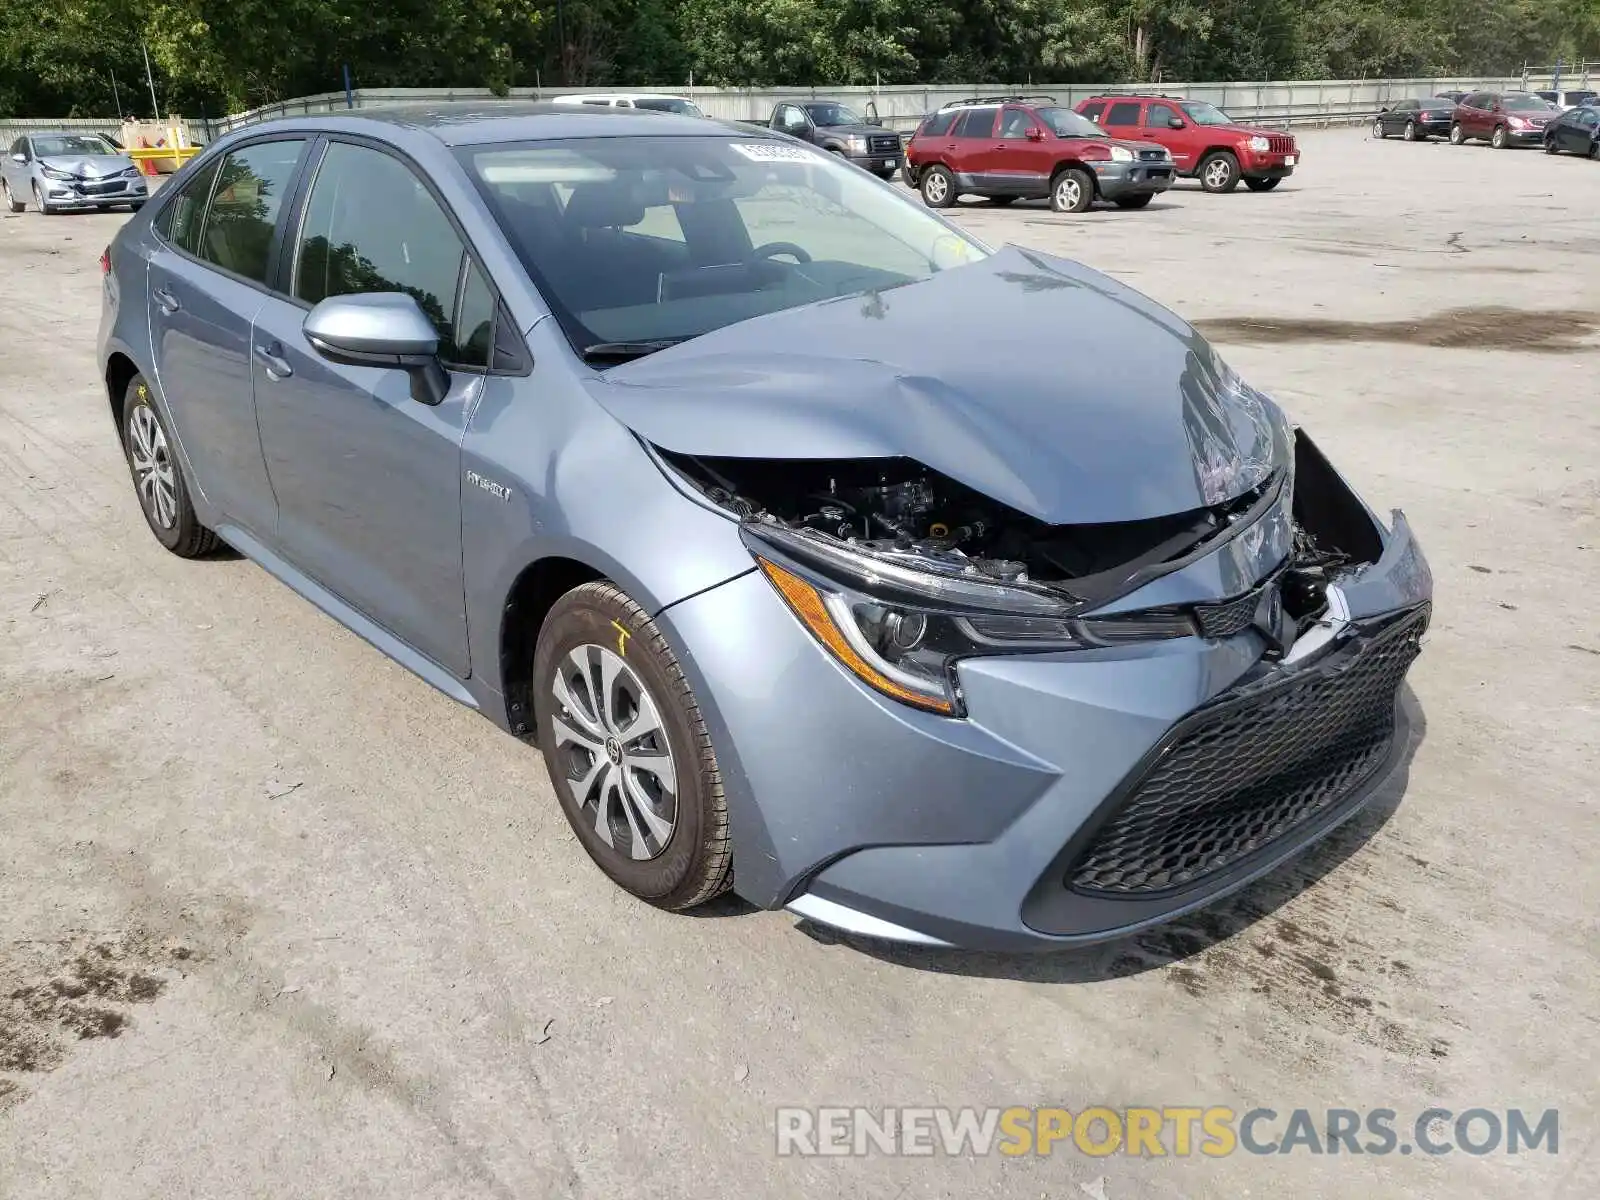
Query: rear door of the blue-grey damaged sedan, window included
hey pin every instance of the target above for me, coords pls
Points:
(215, 247)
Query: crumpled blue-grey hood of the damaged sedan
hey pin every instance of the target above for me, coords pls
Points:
(1033, 380)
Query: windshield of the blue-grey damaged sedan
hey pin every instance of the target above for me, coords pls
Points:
(652, 241)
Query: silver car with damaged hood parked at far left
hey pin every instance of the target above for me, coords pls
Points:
(57, 172)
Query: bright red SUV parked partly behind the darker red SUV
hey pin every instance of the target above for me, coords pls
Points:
(1202, 140)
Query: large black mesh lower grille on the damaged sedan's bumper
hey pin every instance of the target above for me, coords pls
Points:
(1254, 767)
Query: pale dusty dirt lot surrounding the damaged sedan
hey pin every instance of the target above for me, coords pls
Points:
(278, 919)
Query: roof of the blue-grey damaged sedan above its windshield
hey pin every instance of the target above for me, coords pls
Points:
(476, 124)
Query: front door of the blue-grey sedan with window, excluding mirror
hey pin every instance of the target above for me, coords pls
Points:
(369, 479)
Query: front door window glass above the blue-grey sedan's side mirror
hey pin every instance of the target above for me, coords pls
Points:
(372, 226)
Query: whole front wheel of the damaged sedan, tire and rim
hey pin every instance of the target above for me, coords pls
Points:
(649, 809)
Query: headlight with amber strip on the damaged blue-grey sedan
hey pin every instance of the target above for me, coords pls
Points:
(902, 628)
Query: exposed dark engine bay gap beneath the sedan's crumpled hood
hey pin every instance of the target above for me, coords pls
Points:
(911, 514)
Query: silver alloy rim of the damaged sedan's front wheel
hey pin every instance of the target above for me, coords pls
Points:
(615, 751)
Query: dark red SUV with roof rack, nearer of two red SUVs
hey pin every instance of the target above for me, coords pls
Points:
(1007, 148)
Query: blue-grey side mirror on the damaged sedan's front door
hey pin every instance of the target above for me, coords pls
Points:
(382, 329)
